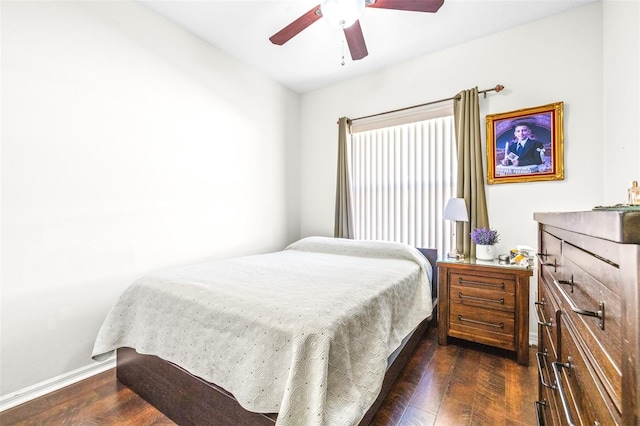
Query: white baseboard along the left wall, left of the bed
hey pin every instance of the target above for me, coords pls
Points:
(39, 389)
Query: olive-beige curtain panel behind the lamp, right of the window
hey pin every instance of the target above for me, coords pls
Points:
(466, 112)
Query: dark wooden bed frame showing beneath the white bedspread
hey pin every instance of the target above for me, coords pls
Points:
(189, 400)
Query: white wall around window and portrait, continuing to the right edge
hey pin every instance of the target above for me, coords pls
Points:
(555, 59)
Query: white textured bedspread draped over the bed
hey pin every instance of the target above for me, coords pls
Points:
(305, 332)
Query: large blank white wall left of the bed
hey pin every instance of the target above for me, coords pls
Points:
(128, 145)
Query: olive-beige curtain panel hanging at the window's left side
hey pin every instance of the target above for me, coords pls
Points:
(343, 226)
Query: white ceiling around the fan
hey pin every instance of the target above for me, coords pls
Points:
(312, 59)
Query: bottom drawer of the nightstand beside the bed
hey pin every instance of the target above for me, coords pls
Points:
(491, 327)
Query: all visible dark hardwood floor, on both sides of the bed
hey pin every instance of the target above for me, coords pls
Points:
(459, 384)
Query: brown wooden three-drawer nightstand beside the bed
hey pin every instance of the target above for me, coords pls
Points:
(485, 302)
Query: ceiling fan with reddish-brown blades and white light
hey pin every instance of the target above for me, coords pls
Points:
(345, 14)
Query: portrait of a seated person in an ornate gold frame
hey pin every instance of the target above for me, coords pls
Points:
(525, 145)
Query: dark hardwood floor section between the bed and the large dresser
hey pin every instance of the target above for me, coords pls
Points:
(463, 383)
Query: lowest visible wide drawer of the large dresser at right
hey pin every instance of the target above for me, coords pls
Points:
(578, 387)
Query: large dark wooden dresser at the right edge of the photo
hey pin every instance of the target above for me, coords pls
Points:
(589, 325)
